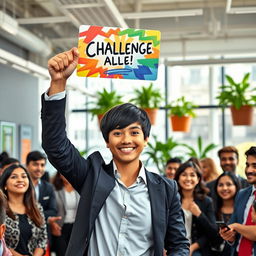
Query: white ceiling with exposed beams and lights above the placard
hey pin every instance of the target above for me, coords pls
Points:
(189, 27)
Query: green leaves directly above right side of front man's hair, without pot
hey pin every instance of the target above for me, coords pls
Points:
(147, 97)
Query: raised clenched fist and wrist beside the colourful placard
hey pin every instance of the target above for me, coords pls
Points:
(60, 68)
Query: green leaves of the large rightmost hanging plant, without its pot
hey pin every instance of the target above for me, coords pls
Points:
(237, 94)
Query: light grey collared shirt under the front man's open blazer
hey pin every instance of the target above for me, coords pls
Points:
(124, 224)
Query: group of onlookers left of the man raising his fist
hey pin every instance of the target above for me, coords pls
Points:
(38, 214)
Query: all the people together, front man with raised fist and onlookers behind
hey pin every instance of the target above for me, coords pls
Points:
(93, 208)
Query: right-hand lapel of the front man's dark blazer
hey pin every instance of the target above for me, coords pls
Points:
(158, 211)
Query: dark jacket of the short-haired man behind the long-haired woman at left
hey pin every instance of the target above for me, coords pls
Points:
(47, 199)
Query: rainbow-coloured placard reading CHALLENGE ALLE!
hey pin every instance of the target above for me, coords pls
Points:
(108, 52)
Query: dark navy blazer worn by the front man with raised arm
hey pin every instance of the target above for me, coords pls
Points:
(94, 181)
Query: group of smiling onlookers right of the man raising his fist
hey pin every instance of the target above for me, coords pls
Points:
(230, 198)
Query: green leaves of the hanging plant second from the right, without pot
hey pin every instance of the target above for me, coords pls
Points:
(180, 107)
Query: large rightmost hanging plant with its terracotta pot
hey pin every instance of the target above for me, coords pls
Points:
(239, 97)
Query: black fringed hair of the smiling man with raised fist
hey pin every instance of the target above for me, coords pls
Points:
(123, 115)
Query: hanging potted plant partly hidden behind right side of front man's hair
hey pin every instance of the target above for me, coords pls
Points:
(148, 99)
